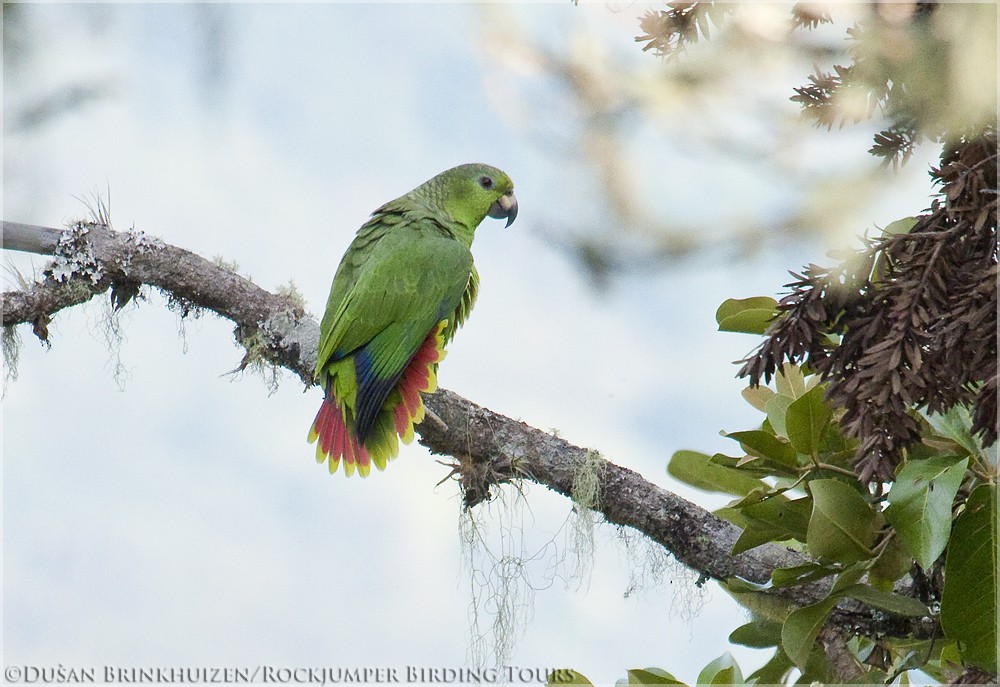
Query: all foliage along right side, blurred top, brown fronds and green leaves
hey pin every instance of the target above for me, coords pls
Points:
(876, 453)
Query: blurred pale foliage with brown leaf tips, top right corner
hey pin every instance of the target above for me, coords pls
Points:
(904, 68)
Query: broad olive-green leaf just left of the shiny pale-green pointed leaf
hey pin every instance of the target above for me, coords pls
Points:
(843, 526)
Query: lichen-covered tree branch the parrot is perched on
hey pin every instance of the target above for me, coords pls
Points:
(491, 449)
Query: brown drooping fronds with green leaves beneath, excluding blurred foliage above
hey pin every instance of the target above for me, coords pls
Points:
(898, 345)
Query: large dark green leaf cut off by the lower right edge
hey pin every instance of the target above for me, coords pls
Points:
(969, 598)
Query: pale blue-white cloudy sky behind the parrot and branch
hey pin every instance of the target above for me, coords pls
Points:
(183, 520)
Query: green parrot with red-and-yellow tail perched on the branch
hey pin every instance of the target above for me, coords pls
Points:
(402, 289)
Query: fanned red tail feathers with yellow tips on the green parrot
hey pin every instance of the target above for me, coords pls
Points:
(332, 430)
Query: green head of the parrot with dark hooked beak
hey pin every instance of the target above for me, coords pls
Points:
(470, 193)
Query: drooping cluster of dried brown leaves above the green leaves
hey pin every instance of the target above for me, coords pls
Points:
(908, 322)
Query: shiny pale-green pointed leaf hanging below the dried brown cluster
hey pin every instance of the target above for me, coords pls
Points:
(920, 504)
